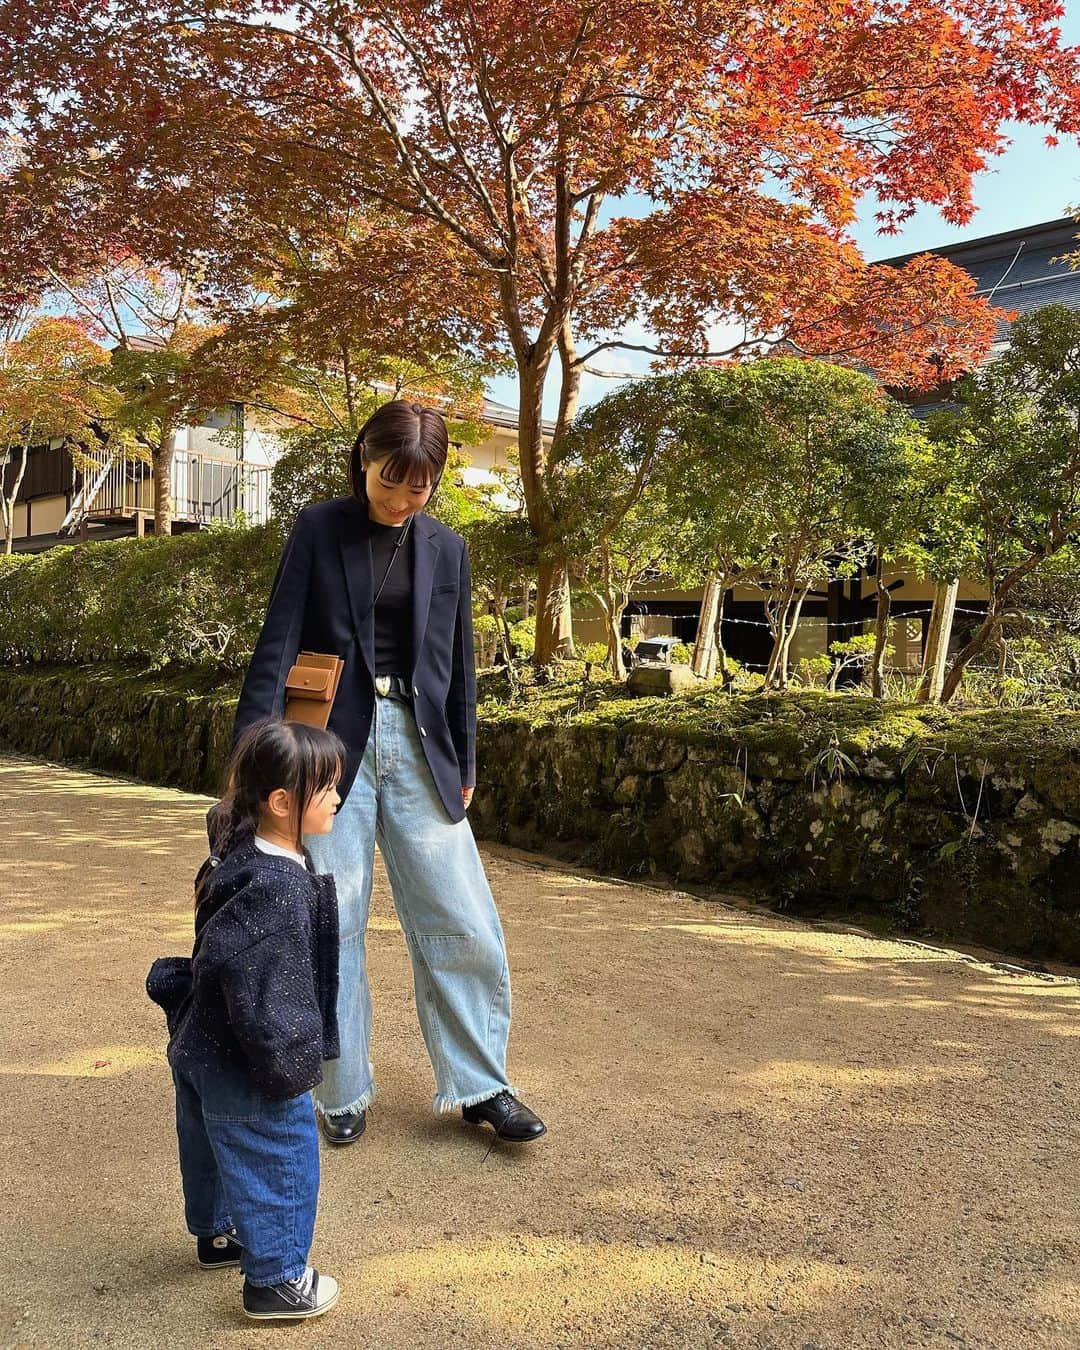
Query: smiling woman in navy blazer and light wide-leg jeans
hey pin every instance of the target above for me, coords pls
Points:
(380, 584)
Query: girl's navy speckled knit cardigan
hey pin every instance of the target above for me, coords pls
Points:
(260, 990)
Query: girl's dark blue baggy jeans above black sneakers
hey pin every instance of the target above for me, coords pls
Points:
(252, 1163)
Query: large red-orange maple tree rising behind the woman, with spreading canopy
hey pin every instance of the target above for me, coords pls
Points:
(537, 182)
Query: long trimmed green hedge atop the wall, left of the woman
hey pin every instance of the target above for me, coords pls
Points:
(191, 599)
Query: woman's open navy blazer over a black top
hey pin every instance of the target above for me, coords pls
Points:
(322, 601)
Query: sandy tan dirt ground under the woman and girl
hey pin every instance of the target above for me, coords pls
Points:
(761, 1135)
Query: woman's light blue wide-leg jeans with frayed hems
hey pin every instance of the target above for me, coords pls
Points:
(446, 911)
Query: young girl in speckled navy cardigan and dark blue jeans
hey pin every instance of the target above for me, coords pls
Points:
(252, 1017)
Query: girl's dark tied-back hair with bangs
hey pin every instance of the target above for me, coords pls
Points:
(271, 755)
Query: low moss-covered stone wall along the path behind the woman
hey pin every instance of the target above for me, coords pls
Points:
(962, 827)
